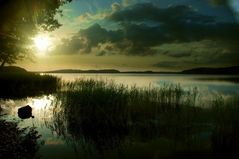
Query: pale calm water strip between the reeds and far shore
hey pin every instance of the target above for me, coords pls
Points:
(205, 83)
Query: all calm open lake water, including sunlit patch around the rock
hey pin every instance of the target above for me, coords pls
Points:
(58, 147)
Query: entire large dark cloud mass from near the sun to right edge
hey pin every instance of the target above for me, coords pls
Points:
(146, 26)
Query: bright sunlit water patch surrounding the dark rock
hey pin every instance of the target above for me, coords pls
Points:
(42, 110)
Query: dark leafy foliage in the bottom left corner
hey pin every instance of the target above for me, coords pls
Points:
(16, 143)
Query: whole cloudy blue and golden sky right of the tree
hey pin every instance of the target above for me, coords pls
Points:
(131, 35)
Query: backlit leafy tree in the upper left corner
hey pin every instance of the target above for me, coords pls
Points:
(20, 20)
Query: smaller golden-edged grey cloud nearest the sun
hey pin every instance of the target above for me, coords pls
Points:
(87, 39)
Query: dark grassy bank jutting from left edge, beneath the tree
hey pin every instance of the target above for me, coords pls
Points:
(24, 84)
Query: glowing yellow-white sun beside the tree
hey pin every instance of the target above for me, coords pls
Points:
(42, 43)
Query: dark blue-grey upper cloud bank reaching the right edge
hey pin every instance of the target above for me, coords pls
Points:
(146, 26)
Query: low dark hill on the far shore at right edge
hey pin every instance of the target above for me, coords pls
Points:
(234, 70)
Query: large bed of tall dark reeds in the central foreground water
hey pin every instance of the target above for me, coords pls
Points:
(103, 113)
